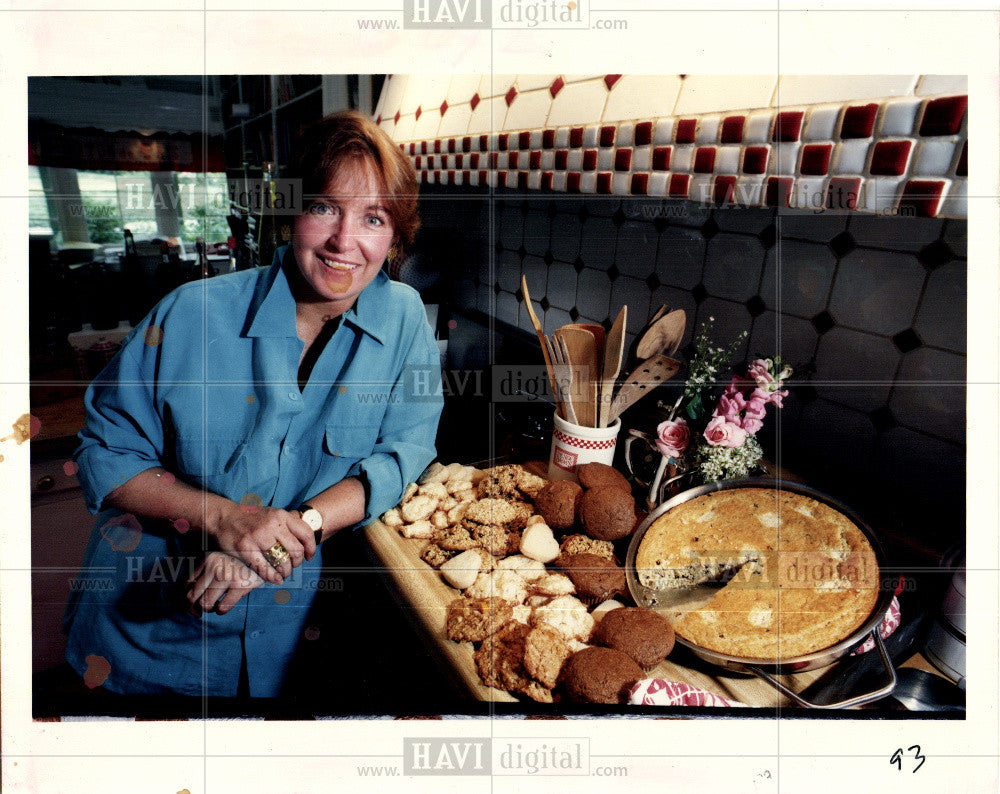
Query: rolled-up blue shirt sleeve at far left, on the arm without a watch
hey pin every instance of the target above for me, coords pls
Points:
(123, 435)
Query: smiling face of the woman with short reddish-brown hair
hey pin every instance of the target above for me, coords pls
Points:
(341, 240)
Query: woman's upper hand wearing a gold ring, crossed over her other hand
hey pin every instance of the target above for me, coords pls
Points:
(247, 532)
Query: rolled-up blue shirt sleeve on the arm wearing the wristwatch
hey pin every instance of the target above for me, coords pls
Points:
(405, 444)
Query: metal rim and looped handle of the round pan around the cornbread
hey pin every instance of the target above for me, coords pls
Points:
(766, 668)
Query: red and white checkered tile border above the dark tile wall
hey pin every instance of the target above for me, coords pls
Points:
(899, 155)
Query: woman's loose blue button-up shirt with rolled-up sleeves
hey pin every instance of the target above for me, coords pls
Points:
(214, 398)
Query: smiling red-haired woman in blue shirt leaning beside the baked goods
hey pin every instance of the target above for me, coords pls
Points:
(251, 416)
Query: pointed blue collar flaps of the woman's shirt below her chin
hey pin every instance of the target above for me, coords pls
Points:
(272, 311)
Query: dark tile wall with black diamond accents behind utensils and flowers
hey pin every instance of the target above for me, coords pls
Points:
(870, 310)
